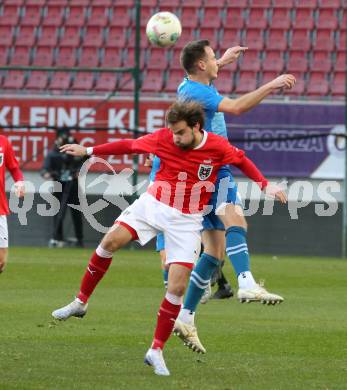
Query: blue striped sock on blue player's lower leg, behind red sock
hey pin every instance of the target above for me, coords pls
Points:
(199, 280)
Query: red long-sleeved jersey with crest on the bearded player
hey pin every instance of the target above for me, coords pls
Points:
(186, 177)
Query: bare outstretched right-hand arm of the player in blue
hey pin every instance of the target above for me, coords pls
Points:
(252, 99)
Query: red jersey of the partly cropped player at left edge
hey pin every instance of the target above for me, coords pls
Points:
(7, 161)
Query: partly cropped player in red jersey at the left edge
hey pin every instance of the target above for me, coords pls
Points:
(7, 161)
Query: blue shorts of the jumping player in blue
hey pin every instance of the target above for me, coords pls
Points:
(226, 192)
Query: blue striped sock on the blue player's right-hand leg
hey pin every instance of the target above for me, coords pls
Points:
(236, 248)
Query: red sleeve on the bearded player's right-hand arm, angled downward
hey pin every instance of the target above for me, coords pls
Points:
(238, 158)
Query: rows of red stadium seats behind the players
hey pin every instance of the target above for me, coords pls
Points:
(307, 38)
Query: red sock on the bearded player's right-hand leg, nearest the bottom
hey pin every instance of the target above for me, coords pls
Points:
(167, 315)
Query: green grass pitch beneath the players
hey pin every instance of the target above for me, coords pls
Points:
(301, 344)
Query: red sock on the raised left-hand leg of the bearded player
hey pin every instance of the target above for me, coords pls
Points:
(95, 271)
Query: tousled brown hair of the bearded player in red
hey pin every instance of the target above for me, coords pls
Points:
(189, 111)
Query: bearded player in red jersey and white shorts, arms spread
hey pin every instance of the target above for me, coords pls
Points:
(174, 204)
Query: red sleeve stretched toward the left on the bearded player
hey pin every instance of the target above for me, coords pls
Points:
(146, 144)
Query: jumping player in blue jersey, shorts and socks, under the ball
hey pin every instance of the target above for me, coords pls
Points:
(225, 228)
